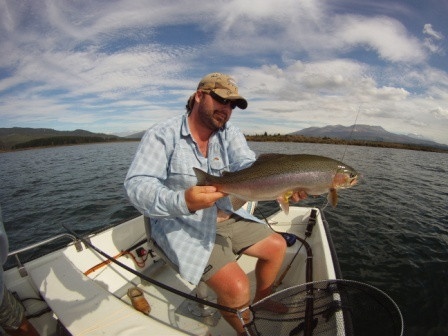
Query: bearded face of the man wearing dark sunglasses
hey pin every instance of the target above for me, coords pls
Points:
(212, 113)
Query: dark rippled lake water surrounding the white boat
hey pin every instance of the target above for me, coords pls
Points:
(390, 231)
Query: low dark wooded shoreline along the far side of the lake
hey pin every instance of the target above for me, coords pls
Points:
(49, 142)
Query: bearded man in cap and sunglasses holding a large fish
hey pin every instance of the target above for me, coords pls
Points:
(196, 226)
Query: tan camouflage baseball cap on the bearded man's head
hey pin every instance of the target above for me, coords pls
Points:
(224, 86)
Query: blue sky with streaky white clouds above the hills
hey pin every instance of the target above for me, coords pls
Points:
(121, 66)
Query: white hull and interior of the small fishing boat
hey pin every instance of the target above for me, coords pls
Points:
(97, 304)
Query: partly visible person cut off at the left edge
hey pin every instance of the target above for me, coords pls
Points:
(12, 317)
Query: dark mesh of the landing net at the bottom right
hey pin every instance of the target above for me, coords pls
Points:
(332, 307)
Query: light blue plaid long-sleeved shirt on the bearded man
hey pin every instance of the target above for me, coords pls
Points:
(161, 172)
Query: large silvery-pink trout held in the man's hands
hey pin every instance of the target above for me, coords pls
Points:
(278, 176)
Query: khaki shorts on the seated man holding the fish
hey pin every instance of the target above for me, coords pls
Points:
(233, 236)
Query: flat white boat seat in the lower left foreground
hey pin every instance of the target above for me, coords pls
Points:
(81, 304)
